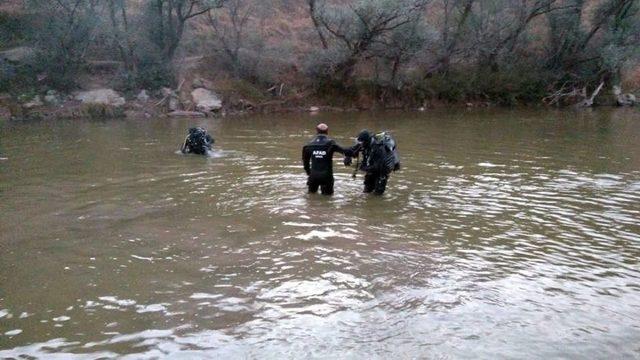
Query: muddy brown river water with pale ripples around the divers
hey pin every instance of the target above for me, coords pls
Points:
(511, 234)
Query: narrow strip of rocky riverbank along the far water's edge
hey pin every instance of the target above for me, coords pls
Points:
(197, 99)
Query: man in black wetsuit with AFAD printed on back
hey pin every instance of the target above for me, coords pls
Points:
(317, 158)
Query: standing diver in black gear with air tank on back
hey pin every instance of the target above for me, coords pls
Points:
(379, 159)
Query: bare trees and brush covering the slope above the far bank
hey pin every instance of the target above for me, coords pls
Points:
(348, 53)
